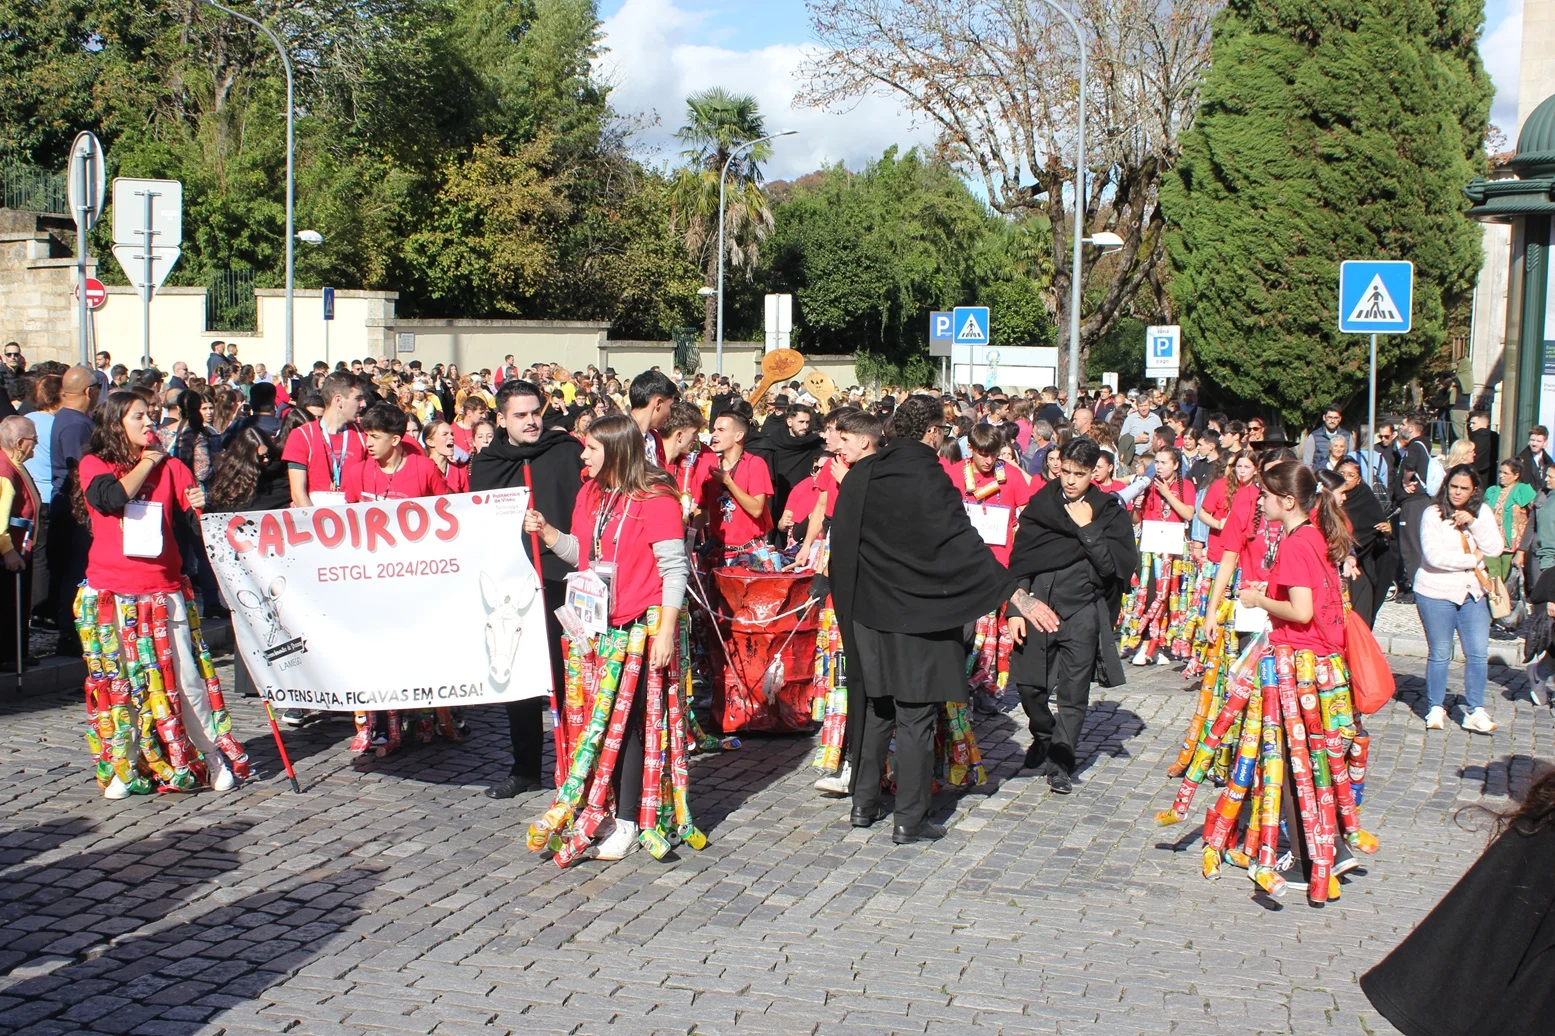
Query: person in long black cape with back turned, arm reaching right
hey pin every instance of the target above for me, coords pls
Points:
(909, 578)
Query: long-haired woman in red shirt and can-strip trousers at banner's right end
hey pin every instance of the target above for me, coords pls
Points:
(618, 726)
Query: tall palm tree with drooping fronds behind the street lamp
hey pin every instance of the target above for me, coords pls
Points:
(718, 122)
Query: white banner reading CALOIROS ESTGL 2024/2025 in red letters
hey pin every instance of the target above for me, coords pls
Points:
(397, 604)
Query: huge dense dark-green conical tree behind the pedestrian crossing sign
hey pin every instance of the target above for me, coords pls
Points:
(1330, 130)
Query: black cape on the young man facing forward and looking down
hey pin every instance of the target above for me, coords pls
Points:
(1047, 541)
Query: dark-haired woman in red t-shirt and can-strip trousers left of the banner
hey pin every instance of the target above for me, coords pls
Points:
(133, 495)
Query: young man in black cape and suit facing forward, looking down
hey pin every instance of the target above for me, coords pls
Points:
(1074, 551)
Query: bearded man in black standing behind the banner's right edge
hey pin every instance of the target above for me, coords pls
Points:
(550, 464)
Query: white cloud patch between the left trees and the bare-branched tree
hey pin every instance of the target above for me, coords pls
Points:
(654, 65)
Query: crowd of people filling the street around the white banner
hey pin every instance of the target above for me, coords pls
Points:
(957, 544)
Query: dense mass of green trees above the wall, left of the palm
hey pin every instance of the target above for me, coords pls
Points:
(461, 153)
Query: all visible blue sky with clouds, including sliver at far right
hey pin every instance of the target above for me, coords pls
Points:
(662, 51)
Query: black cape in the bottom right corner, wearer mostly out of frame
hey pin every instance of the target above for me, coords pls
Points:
(1480, 964)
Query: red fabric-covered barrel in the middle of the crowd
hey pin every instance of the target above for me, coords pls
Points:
(755, 639)
